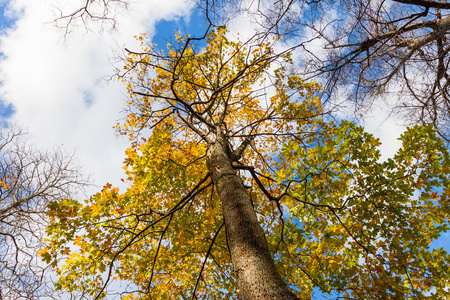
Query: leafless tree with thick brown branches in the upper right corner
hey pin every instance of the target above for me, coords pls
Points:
(399, 48)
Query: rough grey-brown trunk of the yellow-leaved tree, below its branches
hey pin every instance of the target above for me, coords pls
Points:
(254, 267)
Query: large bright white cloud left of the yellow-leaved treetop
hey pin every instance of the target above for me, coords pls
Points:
(57, 87)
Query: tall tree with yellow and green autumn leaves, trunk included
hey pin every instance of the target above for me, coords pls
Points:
(241, 186)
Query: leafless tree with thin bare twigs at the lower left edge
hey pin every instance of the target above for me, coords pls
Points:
(29, 180)
